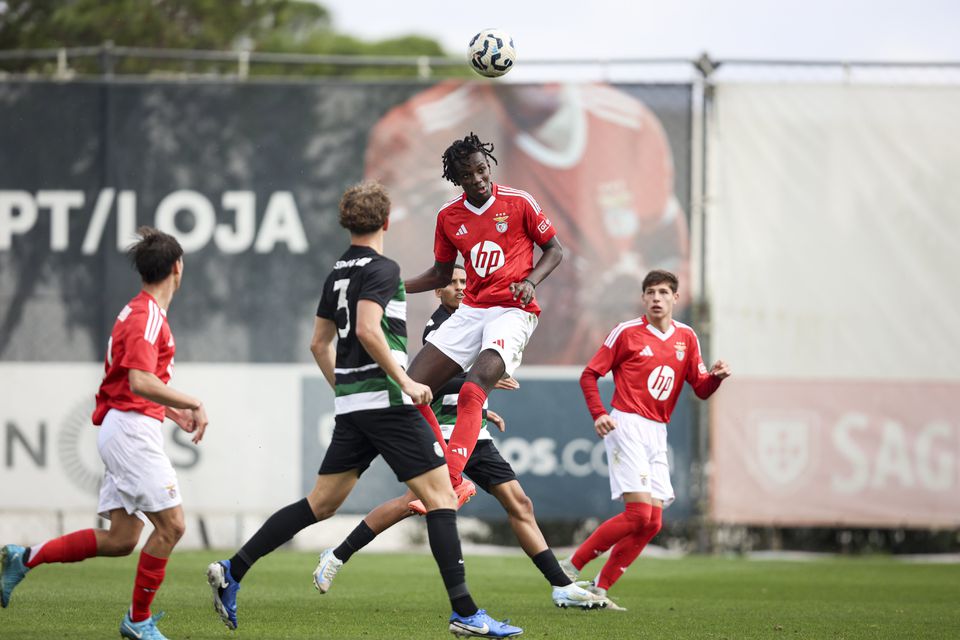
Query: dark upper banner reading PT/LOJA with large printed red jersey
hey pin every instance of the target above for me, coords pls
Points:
(248, 177)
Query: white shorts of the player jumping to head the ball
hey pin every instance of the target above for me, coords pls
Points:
(470, 330)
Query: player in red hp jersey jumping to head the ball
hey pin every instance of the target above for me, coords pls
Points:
(494, 228)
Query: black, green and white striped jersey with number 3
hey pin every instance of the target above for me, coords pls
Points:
(363, 274)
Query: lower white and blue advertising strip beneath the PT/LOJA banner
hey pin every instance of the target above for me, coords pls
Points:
(269, 428)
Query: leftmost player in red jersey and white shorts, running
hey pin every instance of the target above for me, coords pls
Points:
(139, 483)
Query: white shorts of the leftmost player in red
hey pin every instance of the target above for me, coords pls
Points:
(139, 477)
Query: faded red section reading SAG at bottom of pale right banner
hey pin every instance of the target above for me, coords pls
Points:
(828, 453)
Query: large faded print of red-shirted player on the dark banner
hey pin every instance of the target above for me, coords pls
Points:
(608, 165)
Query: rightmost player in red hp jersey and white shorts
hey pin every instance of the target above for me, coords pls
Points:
(650, 358)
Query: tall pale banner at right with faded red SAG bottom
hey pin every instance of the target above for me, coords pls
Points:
(832, 232)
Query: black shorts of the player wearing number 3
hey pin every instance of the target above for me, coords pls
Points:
(399, 434)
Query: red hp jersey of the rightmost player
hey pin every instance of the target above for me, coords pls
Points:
(649, 368)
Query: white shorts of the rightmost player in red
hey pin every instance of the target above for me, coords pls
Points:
(637, 457)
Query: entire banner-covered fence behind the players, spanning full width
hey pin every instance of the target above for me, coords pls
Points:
(810, 208)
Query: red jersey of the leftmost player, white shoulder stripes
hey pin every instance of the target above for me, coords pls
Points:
(141, 339)
